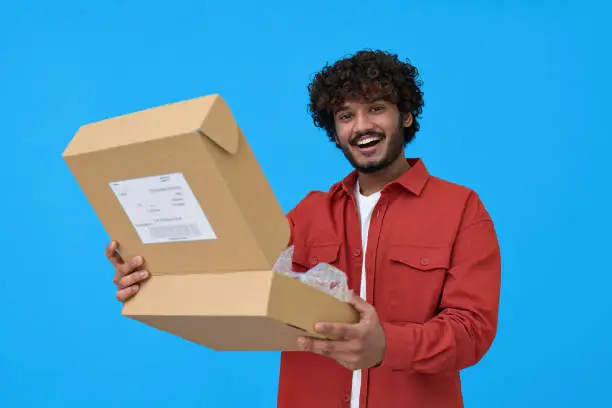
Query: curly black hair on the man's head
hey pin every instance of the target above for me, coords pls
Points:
(366, 75)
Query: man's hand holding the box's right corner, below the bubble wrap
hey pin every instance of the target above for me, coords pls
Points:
(358, 346)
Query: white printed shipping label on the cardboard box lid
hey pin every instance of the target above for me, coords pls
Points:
(163, 209)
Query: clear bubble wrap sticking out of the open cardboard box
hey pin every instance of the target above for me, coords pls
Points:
(323, 276)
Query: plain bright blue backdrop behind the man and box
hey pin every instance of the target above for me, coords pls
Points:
(517, 96)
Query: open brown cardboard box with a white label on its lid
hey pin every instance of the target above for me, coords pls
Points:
(180, 186)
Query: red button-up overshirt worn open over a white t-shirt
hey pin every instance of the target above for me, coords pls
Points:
(433, 275)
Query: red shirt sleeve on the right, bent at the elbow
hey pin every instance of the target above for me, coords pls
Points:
(464, 330)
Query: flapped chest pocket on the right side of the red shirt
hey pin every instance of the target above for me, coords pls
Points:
(413, 282)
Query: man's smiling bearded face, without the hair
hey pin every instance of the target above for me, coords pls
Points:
(371, 134)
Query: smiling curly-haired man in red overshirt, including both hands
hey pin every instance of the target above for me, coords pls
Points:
(421, 252)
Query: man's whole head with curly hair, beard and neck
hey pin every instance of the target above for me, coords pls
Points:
(369, 104)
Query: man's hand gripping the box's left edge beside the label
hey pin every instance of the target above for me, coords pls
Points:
(128, 274)
